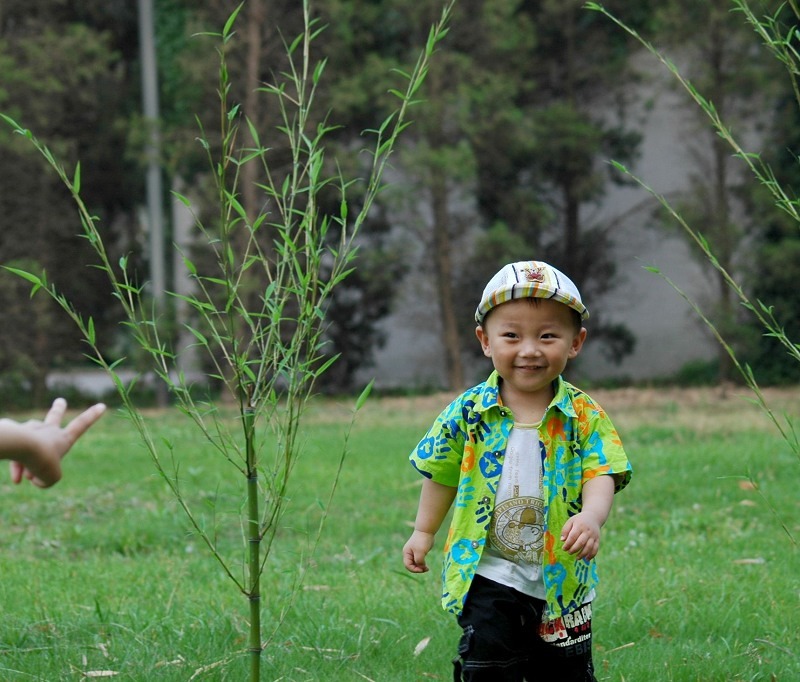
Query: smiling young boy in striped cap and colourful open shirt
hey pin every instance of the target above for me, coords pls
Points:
(532, 465)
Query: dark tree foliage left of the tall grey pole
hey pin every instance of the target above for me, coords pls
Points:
(65, 77)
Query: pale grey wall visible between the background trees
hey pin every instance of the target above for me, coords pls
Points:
(668, 333)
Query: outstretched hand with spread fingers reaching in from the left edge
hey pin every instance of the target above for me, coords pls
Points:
(36, 448)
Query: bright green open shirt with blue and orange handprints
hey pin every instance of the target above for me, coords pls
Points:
(465, 448)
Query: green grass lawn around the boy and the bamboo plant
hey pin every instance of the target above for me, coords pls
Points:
(101, 575)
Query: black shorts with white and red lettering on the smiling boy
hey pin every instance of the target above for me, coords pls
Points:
(505, 640)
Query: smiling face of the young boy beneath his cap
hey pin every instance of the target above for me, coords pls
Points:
(529, 342)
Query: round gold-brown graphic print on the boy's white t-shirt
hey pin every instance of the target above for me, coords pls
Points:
(517, 530)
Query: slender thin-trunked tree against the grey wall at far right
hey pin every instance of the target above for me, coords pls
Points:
(726, 63)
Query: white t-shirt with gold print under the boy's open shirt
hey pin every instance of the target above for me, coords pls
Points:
(513, 553)
